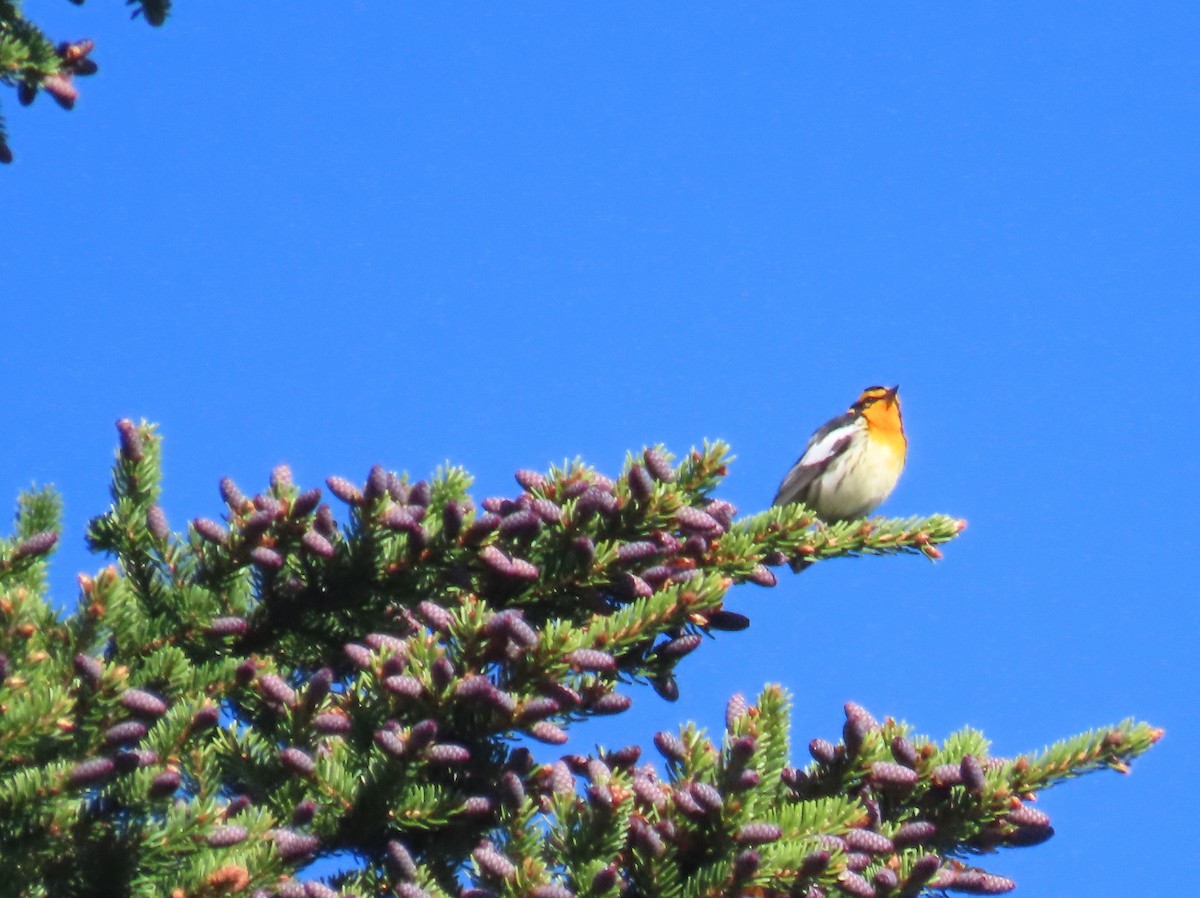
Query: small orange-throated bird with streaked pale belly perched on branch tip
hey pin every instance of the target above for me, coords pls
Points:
(853, 463)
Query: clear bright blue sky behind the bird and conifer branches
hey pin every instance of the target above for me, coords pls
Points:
(506, 238)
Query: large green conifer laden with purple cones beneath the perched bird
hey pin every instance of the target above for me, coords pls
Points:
(393, 679)
